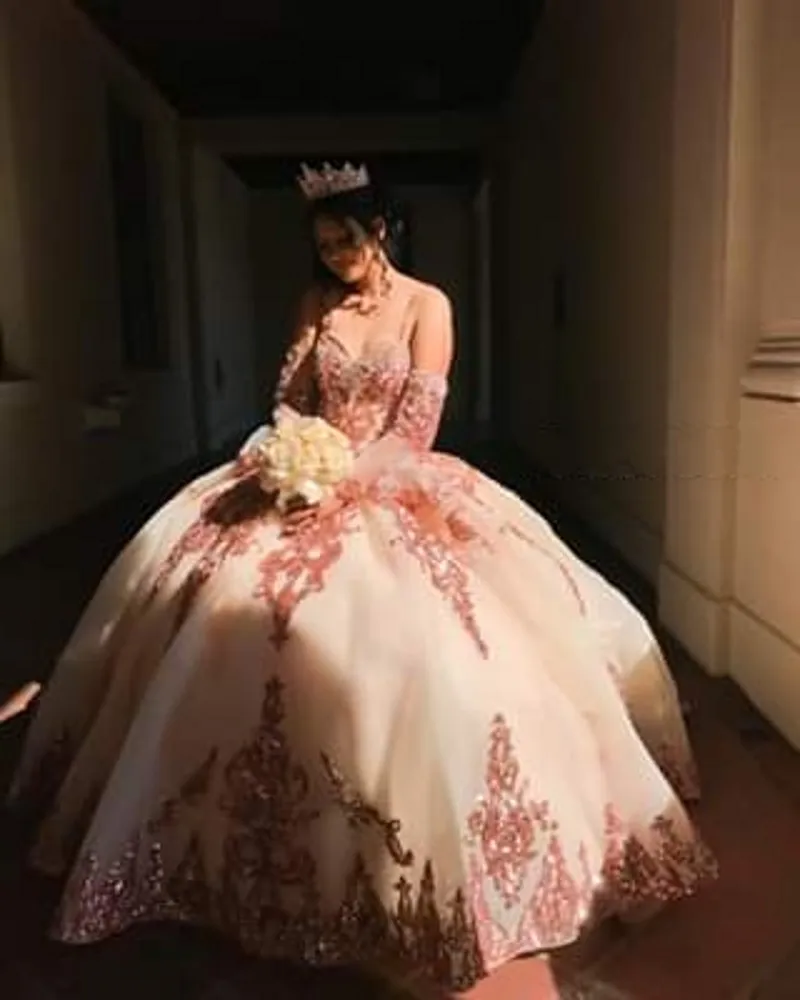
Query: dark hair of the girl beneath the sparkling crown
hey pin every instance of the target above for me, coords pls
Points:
(369, 207)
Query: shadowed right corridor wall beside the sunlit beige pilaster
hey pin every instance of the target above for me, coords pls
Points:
(589, 135)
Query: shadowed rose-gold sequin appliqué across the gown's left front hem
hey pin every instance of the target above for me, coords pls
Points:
(264, 890)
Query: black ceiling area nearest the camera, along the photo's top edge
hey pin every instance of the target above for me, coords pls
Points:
(224, 58)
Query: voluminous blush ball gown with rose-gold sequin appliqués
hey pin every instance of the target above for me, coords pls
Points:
(418, 731)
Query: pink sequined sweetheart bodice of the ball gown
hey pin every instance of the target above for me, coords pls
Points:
(360, 395)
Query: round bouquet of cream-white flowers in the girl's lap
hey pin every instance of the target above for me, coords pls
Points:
(302, 459)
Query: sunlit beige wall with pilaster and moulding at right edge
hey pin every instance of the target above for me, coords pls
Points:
(730, 576)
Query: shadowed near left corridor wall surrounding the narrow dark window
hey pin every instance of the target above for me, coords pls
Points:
(59, 298)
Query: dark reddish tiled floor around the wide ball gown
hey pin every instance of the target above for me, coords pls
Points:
(739, 940)
